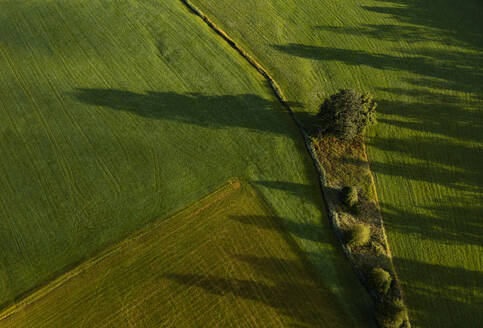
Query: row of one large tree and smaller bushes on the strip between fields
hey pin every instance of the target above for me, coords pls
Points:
(348, 114)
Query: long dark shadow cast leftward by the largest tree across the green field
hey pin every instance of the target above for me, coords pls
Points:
(236, 111)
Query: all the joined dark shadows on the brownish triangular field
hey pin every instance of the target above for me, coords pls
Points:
(291, 286)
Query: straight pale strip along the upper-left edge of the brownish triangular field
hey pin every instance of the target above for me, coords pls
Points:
(189, 211)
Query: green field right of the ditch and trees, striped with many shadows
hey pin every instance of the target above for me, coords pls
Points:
(422, 61)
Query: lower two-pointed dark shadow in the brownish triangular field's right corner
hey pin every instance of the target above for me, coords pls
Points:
(286, 286)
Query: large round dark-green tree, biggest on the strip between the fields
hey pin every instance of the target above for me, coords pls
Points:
(347, 114)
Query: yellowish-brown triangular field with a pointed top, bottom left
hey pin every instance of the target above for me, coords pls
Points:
(226, 261)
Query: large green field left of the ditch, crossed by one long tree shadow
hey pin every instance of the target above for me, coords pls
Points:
(116, 113)
